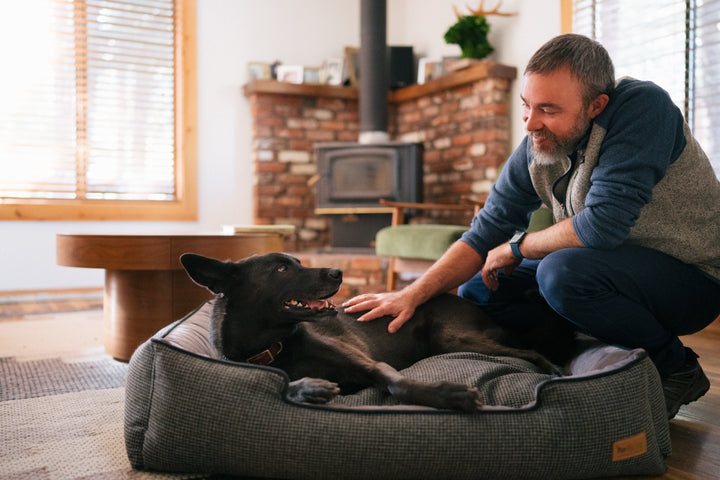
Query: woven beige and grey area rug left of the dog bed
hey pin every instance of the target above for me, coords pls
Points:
(62, 418)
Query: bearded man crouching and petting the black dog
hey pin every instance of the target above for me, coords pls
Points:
(633, 257)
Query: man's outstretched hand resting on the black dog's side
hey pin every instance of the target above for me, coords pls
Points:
(397, 304)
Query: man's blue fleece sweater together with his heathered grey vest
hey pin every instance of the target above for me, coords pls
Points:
(625, 183)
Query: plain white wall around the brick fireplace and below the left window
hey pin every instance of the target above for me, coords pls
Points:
(230, 34)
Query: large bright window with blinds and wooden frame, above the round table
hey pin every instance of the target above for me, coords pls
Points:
(97, 107)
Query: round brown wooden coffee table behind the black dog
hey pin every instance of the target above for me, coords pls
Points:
(146, 287)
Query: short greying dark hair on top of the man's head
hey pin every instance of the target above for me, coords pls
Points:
(587, 60)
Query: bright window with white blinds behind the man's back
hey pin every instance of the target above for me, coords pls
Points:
(674, 43)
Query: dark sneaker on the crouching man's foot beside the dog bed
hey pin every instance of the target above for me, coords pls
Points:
(684, 385)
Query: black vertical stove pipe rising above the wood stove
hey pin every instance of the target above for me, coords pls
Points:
(374, 79)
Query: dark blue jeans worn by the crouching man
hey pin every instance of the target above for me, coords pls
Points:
(631, 297)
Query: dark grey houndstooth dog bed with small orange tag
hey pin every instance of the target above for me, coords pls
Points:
(189, 411)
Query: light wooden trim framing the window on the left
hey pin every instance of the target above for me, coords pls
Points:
(184, 208)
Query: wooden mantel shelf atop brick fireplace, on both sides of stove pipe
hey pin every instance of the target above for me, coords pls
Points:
(482, 70)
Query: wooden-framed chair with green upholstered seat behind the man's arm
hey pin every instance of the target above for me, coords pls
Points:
(414, 248)
